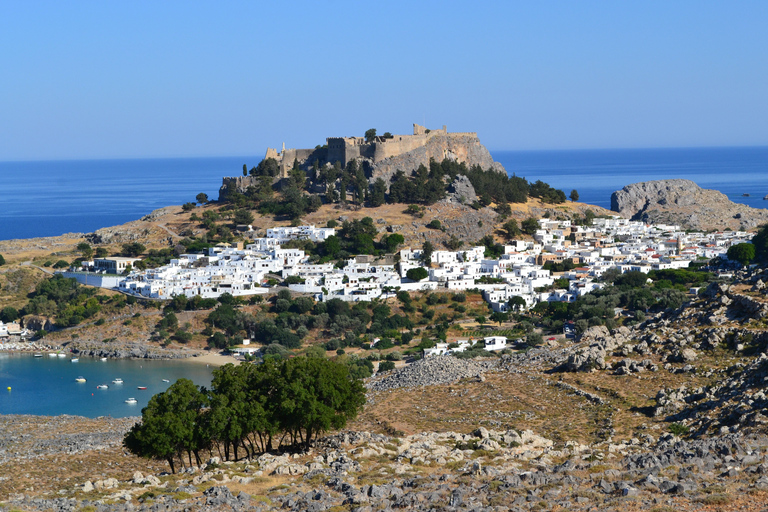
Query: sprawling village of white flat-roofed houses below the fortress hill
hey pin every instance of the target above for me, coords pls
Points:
(523, 270)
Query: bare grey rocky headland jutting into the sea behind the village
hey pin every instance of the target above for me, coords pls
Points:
(684, 203)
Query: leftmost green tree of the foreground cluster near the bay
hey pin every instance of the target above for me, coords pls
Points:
(168, 425)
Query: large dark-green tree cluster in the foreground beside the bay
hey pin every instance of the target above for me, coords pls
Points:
(249, 409)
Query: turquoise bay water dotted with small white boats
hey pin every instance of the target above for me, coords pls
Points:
(46, 385)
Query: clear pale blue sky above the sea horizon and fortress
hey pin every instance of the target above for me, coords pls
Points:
(154, 79)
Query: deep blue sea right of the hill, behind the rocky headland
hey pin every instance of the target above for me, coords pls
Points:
(596, 174)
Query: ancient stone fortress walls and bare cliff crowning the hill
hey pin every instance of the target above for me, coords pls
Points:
(382, 156)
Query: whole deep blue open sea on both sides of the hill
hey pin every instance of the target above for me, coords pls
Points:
(56, 197)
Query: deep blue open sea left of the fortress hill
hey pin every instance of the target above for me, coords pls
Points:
(51, 198)
